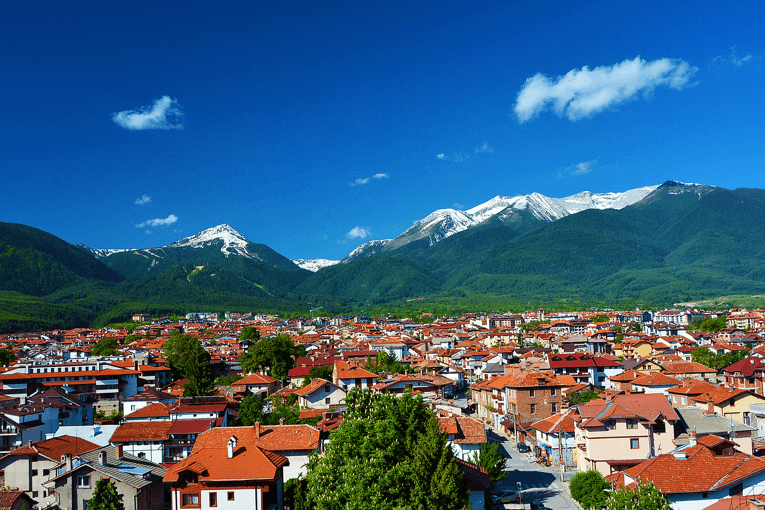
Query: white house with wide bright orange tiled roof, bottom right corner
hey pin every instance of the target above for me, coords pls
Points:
(699, 474)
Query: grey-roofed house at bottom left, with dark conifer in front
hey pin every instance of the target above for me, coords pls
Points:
(73, 480)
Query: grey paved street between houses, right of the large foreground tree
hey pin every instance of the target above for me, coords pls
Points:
(539, 483)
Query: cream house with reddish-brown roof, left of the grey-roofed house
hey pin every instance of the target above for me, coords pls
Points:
(26, 468)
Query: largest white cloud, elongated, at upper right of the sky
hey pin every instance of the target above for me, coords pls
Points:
(584, 92)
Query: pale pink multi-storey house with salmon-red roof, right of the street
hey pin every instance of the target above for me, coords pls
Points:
(612, 435)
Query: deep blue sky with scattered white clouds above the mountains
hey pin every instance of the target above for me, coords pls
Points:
(315, 126)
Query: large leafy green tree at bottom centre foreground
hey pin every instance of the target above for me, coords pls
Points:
(388, 453)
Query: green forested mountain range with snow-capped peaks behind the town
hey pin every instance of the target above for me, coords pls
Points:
(648, 247)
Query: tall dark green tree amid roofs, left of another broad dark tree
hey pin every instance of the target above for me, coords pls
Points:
(188, 359)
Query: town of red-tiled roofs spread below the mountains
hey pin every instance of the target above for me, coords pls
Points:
(672, 397)
